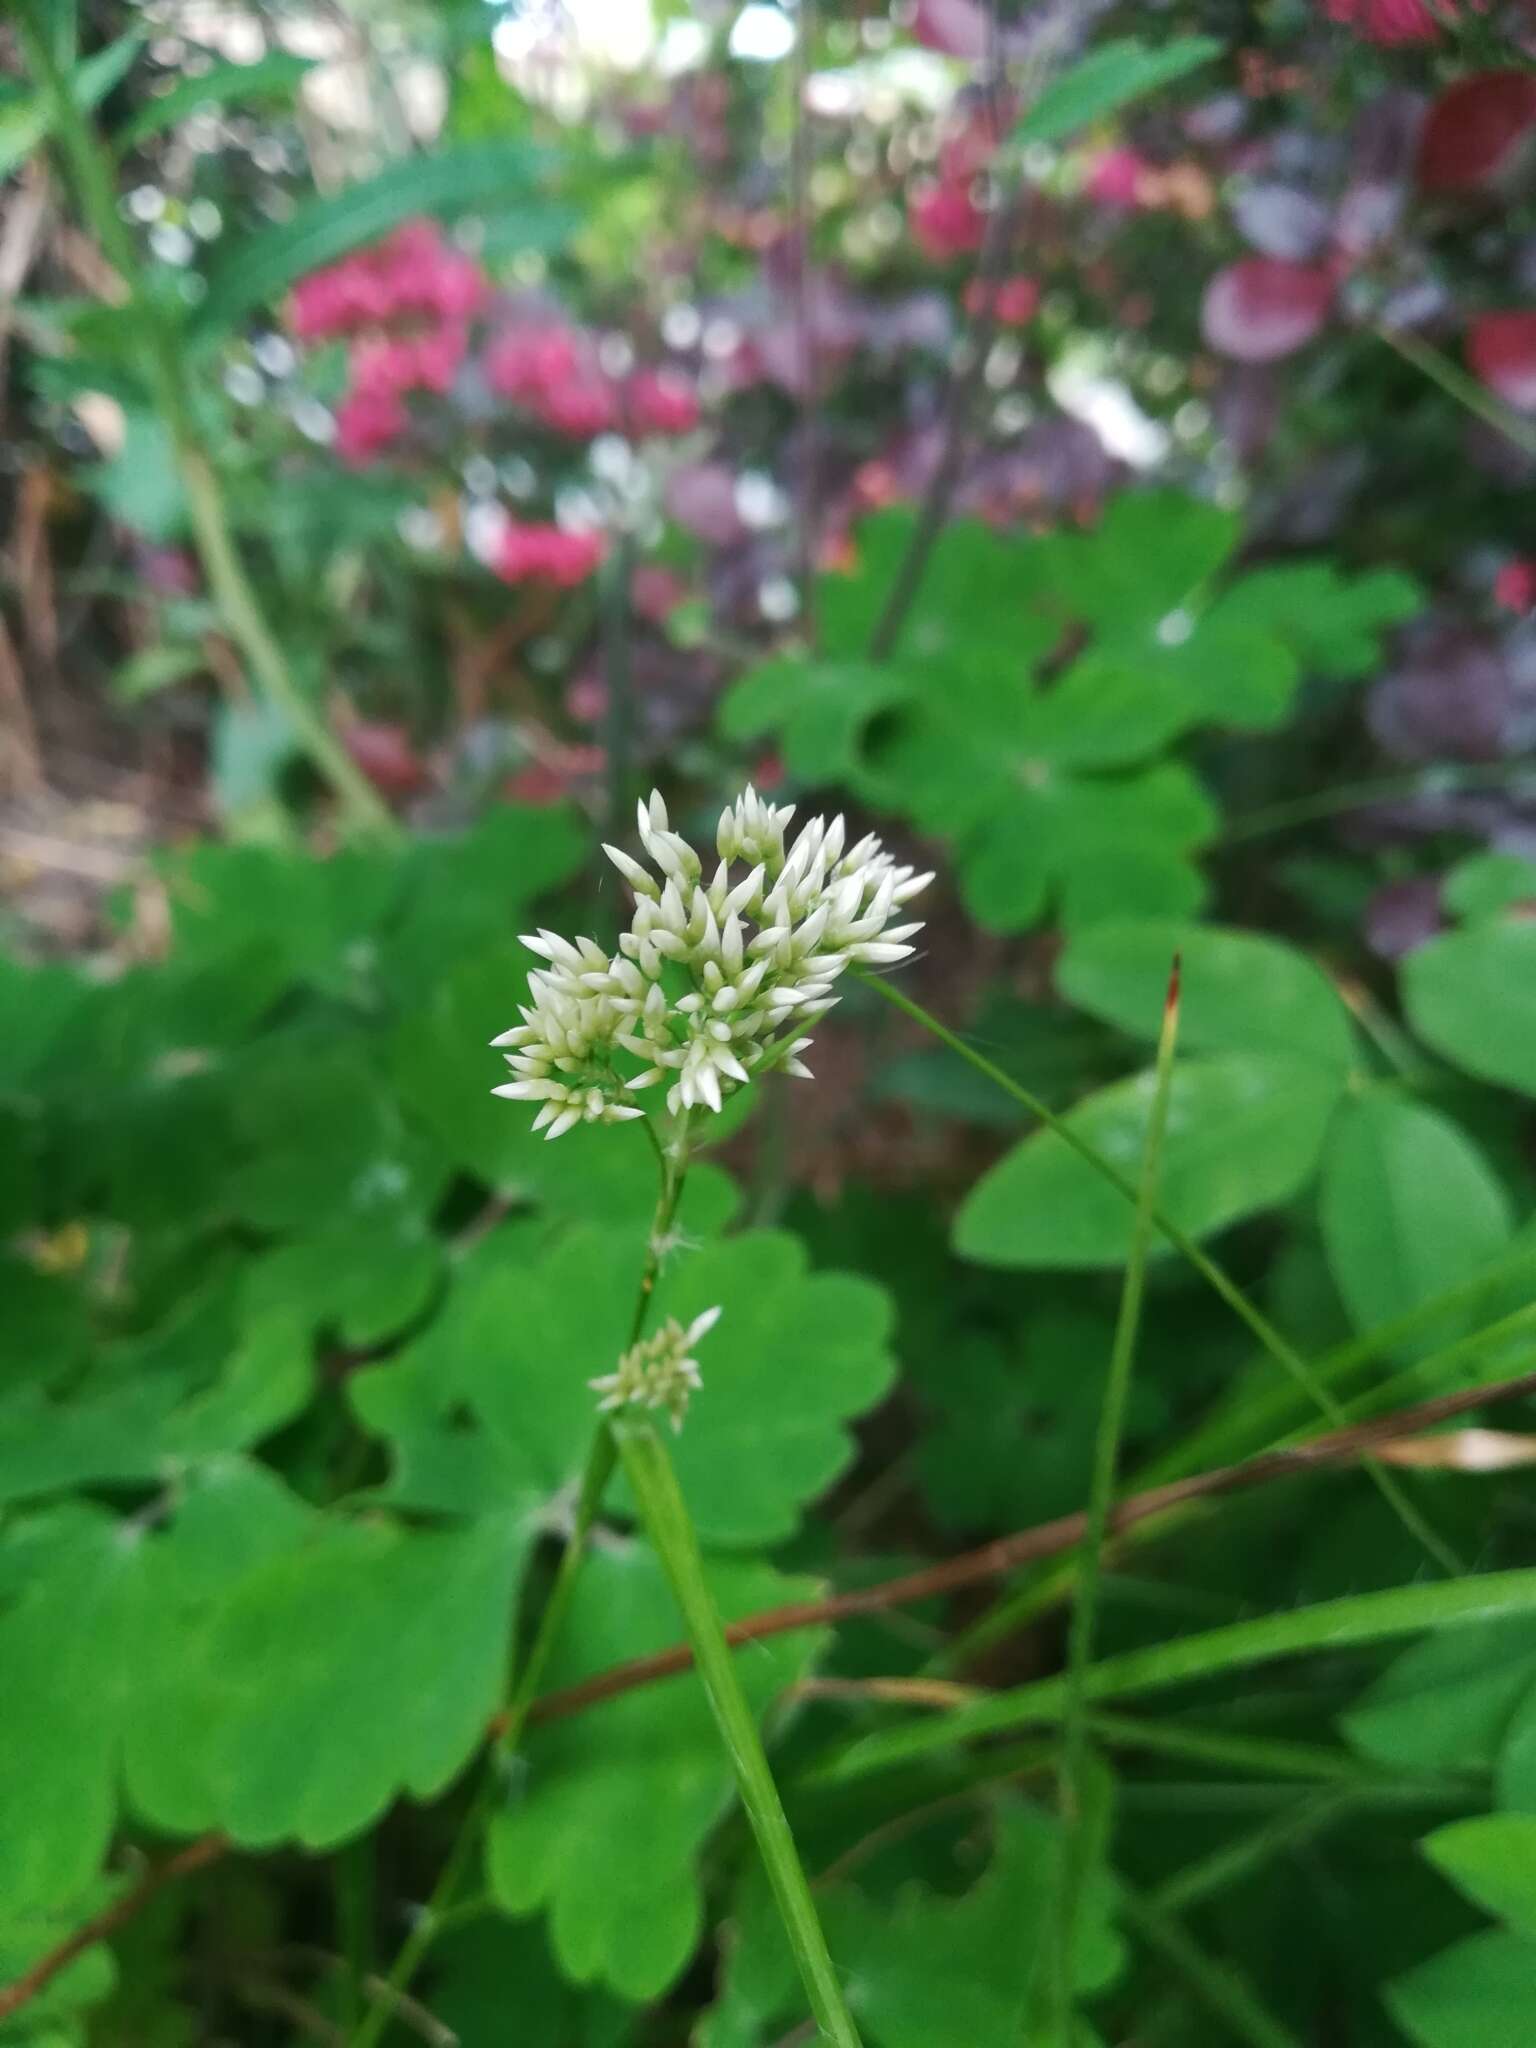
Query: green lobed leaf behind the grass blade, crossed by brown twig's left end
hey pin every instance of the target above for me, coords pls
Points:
(617, 1803)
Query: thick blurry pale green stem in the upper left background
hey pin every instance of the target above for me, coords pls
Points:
(230, 585)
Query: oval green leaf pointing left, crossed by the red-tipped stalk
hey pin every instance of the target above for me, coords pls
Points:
(1244, 1134)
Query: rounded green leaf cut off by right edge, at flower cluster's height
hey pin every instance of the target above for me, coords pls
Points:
(1474, 998)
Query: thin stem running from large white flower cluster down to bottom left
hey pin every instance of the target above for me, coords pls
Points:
(601, 1461)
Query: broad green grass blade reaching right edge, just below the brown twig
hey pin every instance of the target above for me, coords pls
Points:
(1332, 1625)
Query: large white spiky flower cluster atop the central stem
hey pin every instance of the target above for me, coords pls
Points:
(714, 978)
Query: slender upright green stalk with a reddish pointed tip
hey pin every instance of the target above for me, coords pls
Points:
(1101, 1502)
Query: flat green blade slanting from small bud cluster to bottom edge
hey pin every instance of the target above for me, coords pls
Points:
(671, 1529)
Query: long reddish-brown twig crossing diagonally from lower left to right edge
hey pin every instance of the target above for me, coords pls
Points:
(990, 1562)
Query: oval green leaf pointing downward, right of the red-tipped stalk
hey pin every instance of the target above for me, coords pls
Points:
(1410, 1209)
